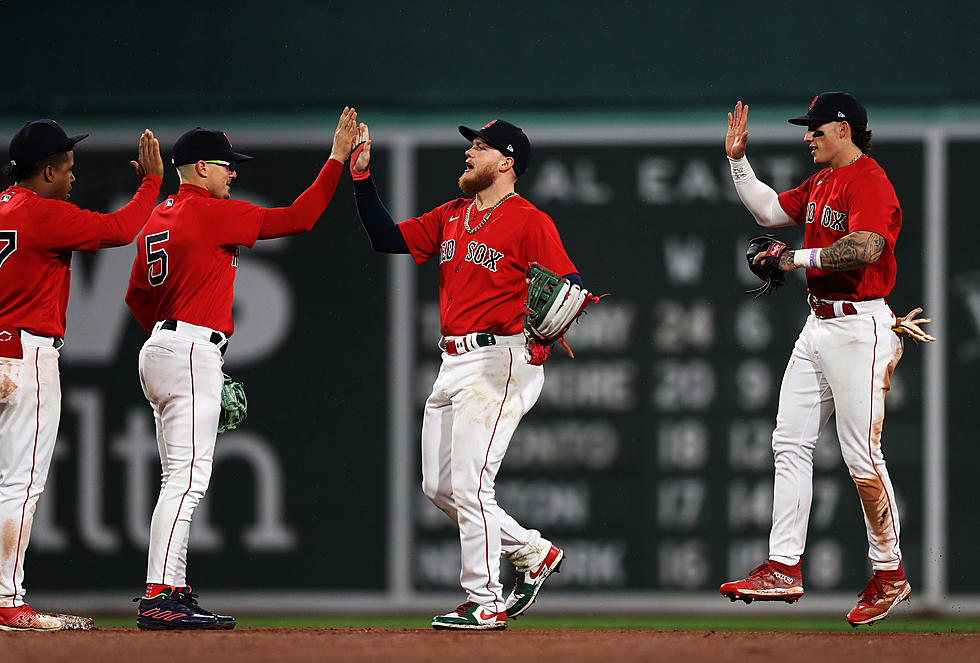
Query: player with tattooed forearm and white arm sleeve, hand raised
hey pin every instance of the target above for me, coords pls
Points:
(845, 355)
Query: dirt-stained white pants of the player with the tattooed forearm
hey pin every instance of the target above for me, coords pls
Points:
(843, 364)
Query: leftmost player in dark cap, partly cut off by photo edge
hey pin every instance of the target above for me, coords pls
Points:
(39, 229)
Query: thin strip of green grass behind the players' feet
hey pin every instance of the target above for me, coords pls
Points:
(894, 625)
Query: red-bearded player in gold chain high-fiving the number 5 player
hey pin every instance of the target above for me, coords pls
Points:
(487, 380)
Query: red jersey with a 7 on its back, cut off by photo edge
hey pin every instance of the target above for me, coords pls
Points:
(37, 237)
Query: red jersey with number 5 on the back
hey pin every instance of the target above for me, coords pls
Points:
(187, 254)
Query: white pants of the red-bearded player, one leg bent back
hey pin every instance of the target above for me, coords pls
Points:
(476, 403)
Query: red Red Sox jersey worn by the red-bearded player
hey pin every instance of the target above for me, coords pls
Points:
(482, 283)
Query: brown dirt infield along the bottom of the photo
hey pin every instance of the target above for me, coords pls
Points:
(540, 645)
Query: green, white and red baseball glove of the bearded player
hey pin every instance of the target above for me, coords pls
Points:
(552, 305)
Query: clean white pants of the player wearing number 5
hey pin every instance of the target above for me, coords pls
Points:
(181, 376)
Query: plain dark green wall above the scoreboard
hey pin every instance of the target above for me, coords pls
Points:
(71, 59)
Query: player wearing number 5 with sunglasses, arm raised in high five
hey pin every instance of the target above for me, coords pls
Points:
(181, 291)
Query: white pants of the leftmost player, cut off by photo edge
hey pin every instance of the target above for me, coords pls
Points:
(28, 429)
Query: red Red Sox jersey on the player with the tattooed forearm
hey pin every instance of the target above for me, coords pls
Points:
(834, 203)
